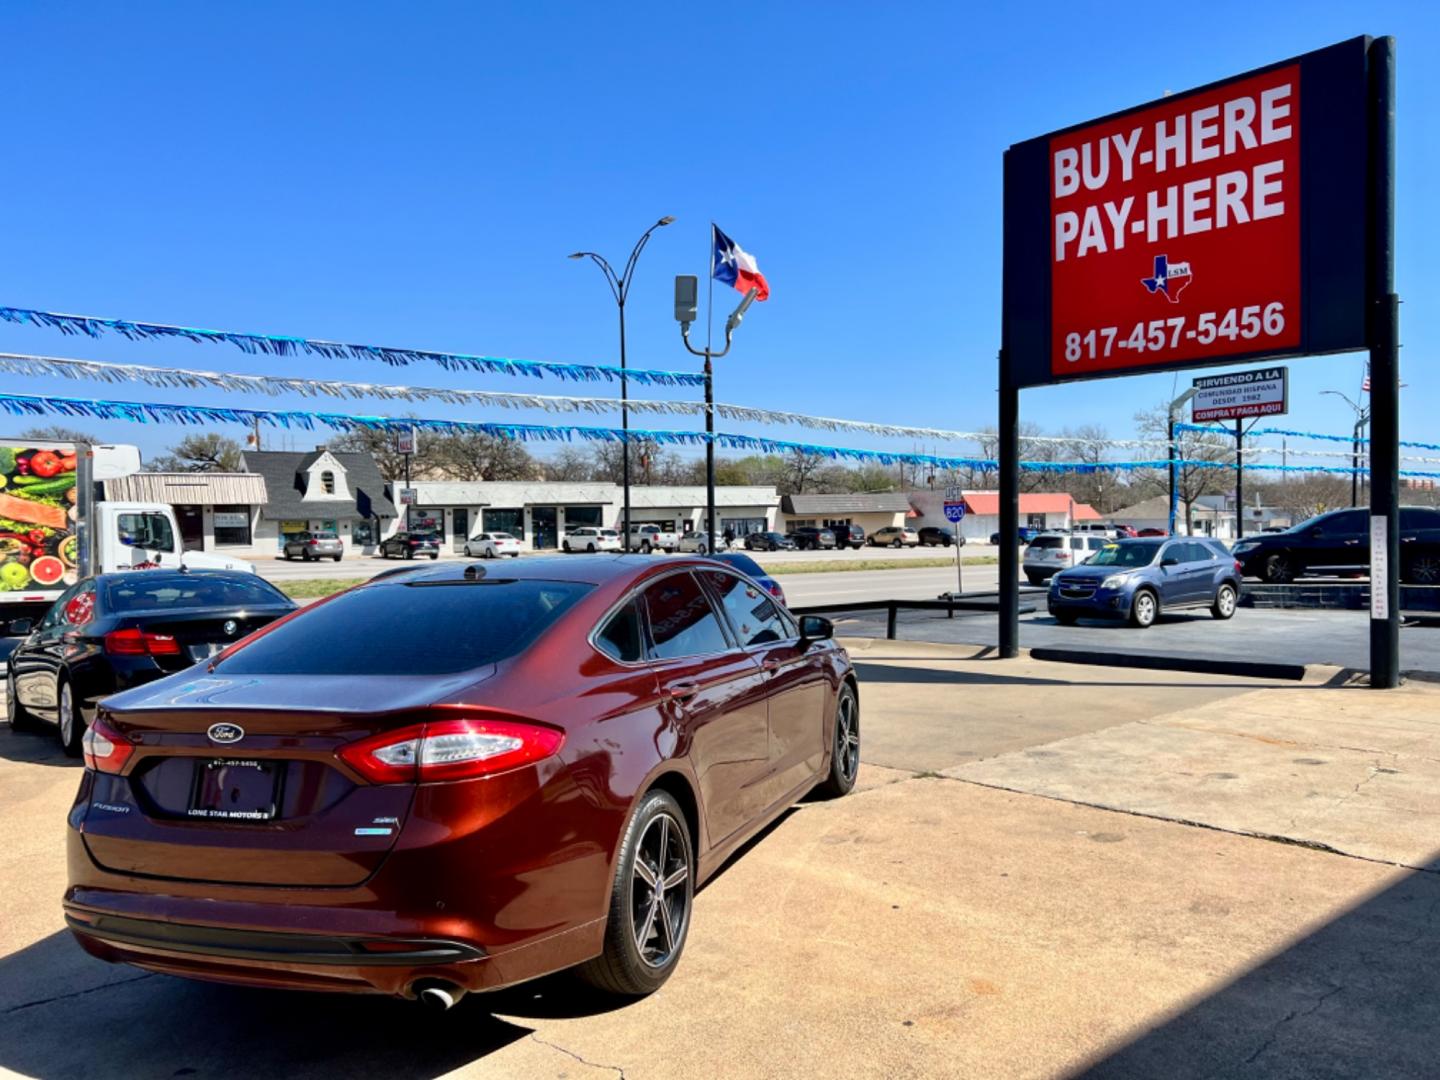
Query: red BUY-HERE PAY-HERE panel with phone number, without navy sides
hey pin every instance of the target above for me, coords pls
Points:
(1176, 231)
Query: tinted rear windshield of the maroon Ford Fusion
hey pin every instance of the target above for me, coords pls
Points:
(411, 629)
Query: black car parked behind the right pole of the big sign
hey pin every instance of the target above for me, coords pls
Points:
(1338, 542)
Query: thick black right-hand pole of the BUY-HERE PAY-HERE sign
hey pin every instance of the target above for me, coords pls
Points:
(1385, 374)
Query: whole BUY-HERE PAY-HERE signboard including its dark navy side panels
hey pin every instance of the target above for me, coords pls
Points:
(1222, 224)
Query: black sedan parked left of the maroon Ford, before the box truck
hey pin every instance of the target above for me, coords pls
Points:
(117, 631)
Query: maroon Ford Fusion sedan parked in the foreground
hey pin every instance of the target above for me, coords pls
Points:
(453, 780)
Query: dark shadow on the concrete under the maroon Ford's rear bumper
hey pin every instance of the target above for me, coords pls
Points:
(66, 1014)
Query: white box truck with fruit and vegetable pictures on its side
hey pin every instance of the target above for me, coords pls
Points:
(55, 528)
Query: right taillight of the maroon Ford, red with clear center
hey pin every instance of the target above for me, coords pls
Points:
(450, 751)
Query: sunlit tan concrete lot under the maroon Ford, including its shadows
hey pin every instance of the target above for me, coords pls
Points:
(1049, 870)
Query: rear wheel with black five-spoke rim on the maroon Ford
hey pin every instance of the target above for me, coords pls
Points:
(643, 945)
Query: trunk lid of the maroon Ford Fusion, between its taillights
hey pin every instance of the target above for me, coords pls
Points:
(273, 804)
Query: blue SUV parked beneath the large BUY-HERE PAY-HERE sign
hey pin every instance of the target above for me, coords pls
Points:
(1138, 580)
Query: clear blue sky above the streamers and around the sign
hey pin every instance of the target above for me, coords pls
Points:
(415, 175)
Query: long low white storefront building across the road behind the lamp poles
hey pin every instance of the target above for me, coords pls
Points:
(541, 513)
